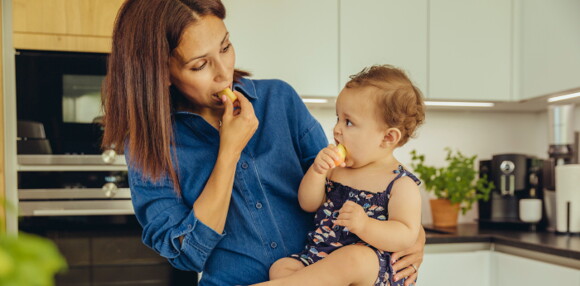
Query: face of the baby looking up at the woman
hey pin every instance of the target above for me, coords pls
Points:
(359, 127)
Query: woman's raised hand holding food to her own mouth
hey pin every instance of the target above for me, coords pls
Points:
(238, 126)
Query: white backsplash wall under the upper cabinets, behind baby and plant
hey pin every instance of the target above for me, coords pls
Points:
(481, 133)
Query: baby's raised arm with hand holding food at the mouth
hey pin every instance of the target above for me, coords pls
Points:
(311, 193)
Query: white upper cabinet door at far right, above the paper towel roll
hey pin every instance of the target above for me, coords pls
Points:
(550, 46)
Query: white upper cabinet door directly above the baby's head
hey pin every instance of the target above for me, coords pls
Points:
(384, 32)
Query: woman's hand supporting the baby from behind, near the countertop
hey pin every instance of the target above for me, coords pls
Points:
(406, 263)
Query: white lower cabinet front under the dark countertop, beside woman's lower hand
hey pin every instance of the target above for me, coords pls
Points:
(456, 268)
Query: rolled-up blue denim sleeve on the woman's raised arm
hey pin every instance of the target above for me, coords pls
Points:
(165, 217)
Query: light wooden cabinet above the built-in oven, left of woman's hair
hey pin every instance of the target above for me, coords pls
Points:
(64, 25)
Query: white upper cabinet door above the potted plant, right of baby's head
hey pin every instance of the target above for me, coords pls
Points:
(470, 50)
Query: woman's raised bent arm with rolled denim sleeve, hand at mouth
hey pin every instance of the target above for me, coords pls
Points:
(187, 234)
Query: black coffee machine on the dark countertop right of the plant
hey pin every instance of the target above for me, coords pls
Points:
(515, 177)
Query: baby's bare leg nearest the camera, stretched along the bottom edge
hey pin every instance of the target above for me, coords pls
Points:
(355, 265)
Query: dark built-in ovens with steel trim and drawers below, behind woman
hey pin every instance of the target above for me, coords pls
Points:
(69, 189)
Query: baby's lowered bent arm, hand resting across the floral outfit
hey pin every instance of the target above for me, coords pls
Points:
(398, 233)
